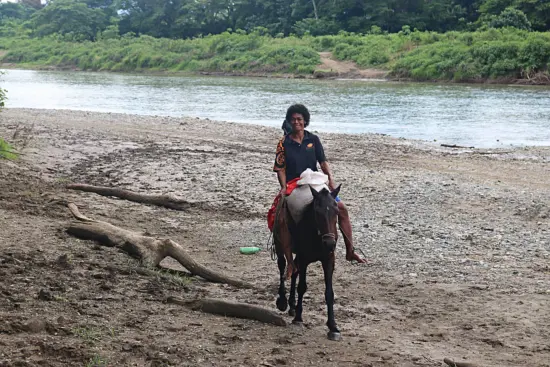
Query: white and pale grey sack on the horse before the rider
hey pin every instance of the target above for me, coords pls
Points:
(301, 196)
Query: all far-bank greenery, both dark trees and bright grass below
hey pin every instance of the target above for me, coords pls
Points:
(458, 40)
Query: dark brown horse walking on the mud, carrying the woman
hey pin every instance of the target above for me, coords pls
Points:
(313, 239)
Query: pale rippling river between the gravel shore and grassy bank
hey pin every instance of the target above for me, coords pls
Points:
(472, 115)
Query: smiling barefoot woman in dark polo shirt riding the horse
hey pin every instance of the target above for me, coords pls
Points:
(296, 152)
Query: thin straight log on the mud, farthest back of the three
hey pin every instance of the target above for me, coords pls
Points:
(167, 201)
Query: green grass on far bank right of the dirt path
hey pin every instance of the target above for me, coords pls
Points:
(458, 56)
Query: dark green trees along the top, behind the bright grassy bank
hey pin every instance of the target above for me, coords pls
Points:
(177, 19)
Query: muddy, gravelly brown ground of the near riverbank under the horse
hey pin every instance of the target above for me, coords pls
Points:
(458, 242)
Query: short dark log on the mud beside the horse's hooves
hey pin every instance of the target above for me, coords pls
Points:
(231, 309)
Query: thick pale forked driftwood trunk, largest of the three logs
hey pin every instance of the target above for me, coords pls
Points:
(151, 251)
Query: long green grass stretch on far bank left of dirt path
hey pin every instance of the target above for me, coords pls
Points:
(220, 53)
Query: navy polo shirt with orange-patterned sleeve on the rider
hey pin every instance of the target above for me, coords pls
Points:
(295, 158)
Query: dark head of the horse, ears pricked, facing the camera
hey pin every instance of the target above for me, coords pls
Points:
(325, 209)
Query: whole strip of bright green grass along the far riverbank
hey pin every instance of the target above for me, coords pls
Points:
(504, 54)
